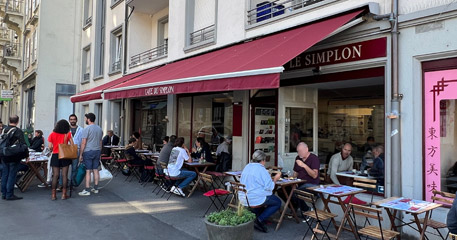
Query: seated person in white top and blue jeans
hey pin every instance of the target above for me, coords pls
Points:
(178, 155)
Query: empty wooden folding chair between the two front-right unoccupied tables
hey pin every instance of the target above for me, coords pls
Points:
(371, 231)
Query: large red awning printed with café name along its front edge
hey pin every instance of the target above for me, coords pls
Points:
(251, 65)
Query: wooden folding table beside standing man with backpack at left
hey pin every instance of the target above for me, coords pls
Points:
(35, 164)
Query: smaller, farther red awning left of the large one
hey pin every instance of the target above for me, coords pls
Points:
(96, 92)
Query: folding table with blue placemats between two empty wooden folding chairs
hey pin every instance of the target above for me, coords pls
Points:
(338, 192)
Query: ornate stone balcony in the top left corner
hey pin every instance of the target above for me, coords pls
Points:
(12, 14)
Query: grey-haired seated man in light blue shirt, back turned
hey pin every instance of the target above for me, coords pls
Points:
(259, 186)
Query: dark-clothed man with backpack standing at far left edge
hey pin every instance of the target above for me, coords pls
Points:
(10, 164)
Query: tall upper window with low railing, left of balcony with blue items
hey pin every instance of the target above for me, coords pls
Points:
(200, 22)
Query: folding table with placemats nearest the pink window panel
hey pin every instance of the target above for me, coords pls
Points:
(394, 205)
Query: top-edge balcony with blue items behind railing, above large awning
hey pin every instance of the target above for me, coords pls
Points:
(266, 11)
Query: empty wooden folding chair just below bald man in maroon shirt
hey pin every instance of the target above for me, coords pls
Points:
(316, 215)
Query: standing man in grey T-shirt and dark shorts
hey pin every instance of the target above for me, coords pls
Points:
(91, 147)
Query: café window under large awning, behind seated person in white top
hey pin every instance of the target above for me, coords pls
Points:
(212, 118)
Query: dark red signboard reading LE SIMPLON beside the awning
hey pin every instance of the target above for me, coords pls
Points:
(347, 53)
